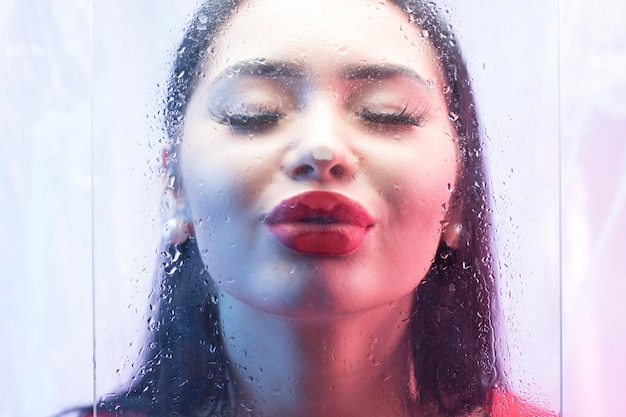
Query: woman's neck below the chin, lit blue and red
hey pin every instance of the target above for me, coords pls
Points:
(345, 365)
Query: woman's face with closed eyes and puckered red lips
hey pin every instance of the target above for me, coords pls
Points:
(318, 156)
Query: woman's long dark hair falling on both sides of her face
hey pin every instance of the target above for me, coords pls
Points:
(453, 333)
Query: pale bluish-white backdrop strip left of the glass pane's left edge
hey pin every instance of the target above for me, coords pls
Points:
(45, 211)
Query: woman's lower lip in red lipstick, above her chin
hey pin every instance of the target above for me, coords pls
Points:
(320, 239)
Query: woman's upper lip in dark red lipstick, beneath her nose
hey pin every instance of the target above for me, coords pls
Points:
(320, 207)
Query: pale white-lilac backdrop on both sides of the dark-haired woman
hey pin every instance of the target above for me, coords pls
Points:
(46, 186)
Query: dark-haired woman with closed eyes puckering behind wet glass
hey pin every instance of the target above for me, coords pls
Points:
(329, 246)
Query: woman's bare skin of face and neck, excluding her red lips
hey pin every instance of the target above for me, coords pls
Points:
(365, 93)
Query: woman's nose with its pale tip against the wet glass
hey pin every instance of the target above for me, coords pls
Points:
(322, 150)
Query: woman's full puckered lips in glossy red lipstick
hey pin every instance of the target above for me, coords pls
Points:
(320, 222)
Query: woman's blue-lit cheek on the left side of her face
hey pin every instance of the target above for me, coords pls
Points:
(221, 186)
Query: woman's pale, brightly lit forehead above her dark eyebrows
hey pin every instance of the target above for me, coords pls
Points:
(322, 35)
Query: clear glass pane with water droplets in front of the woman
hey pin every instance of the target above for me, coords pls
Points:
(346, 208)
